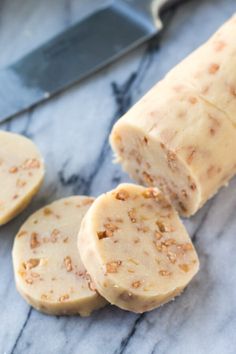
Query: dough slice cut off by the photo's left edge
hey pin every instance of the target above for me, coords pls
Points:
(21, 174)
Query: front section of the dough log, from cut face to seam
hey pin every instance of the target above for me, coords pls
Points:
(175, 140)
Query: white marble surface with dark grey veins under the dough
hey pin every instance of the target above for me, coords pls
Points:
(71, 130)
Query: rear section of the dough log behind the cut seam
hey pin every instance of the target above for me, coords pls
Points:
(211, 69)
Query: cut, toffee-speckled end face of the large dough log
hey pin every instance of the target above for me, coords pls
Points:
(154, 164)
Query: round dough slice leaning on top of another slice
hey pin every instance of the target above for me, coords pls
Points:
(136, 249)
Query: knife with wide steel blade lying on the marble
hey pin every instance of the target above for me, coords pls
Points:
(84, 48)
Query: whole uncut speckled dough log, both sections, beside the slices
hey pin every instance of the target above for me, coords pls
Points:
(181, 135)
